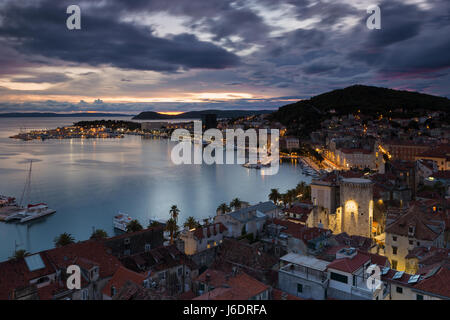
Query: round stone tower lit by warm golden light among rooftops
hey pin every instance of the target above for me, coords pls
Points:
(356, 197)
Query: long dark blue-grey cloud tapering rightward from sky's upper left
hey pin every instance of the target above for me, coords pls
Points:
(41, 30)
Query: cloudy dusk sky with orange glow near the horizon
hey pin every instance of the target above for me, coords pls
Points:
(180, 55)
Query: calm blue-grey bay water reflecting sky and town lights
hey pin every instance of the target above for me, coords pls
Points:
(88, 181)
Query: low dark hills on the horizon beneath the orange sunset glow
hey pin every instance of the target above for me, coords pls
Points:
(221, 114)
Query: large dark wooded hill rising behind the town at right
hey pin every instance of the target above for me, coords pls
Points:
(305, 116)
